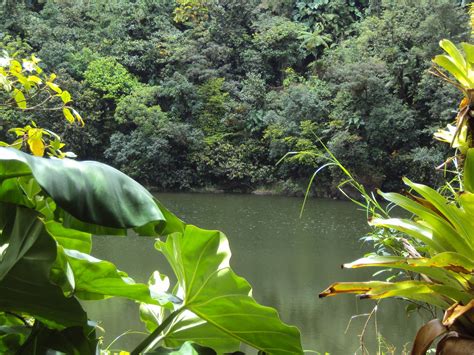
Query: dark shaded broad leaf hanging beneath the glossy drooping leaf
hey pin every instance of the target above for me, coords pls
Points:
(25, 285)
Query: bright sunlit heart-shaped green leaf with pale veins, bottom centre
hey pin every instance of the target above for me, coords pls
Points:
(213, 292)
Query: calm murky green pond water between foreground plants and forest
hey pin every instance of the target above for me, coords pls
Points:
(286, 259)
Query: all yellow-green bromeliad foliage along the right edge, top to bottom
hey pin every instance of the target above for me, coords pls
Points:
(434, 247)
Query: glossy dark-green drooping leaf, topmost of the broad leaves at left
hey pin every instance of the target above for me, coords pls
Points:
(91, 192)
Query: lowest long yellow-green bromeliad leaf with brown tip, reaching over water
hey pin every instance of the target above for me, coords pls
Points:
(437, 295)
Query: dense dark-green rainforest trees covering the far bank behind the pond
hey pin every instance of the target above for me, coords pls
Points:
(186, 94)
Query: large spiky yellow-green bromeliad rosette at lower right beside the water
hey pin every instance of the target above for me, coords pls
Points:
(444, 227)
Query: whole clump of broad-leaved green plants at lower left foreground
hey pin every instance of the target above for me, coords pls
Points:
(49, 206)
